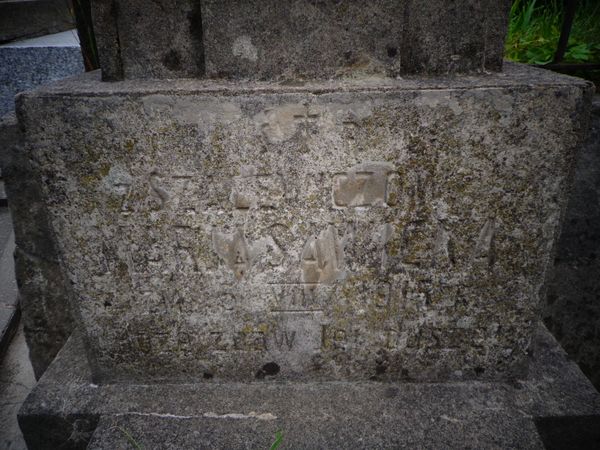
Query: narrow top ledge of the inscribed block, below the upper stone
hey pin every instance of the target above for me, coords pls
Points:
(517, 76)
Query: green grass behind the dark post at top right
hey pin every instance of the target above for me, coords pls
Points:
(534, 29)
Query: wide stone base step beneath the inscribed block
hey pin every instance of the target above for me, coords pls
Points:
(66, 410)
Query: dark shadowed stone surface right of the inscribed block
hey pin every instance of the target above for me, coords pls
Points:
(572, 308)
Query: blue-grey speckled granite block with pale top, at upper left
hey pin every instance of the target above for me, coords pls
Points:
(28, 64)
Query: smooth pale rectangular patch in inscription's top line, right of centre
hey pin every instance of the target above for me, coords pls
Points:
(363, 185)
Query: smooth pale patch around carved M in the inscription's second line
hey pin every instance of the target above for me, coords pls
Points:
(322, 258)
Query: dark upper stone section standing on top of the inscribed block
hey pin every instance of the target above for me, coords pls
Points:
(275, 39)
